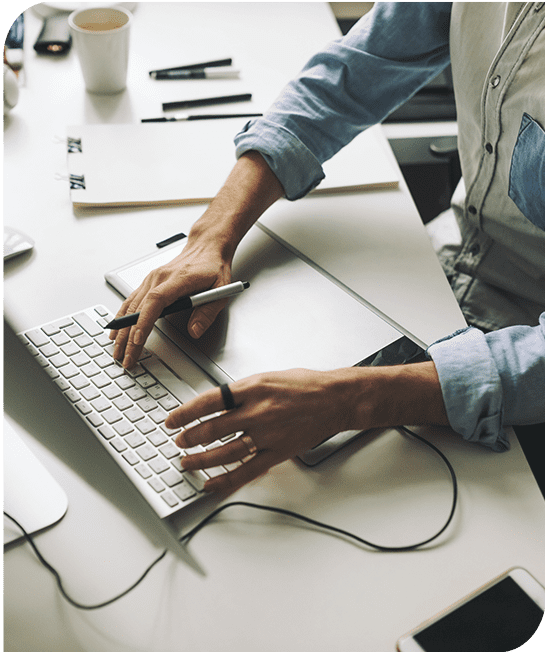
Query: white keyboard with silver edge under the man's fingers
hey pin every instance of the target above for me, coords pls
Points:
(126, 410)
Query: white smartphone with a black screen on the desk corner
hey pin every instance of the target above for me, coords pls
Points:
(499, 616)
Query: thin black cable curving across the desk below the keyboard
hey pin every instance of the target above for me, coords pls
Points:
(278, 510)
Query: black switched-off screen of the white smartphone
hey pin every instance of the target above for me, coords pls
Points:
(501, 618)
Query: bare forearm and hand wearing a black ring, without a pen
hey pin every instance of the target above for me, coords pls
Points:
(286, 413)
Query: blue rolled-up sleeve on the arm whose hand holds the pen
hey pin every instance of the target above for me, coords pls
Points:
(352, 84)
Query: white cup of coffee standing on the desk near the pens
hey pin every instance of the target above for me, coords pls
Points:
(101, 39)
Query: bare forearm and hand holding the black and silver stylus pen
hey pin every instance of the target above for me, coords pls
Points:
(206, 259)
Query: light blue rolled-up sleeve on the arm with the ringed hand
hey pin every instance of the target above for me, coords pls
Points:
(492, 380)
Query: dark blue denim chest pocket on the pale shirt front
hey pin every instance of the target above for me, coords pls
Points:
(527, 173)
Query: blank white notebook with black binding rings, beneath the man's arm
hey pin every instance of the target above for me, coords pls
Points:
(173, 163)
